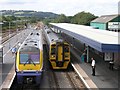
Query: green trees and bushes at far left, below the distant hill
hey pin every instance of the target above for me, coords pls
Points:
(13, 22)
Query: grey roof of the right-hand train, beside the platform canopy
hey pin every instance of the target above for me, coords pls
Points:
(51, 36)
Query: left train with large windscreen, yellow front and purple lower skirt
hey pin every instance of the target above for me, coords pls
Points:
(29, 59)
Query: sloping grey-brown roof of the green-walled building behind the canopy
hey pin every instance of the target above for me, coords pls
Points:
(105, 18)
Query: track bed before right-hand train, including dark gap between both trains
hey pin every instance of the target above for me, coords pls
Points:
(61, 79)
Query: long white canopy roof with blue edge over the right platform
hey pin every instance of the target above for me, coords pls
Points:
(101, 40)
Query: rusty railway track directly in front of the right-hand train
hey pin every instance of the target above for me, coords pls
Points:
(65, 79)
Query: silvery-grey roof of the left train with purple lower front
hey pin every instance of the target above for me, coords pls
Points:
(34, 39)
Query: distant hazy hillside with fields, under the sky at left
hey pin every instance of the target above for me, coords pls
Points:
(28, 13)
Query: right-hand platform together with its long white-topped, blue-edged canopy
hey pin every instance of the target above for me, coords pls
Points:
(103, 46)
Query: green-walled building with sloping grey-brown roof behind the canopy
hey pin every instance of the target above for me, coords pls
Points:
(107, 22)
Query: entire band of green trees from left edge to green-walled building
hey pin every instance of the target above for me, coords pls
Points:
(82, 18)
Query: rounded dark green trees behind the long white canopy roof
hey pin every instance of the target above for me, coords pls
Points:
(82, 18)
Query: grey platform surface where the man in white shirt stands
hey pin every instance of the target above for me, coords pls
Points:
(105, 78)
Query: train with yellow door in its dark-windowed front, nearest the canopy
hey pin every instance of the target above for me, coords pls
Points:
(59, 50)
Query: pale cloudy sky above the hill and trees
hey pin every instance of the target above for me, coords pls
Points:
(67, 7)
